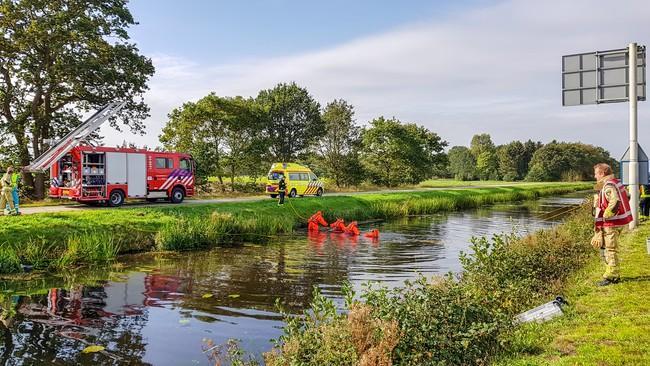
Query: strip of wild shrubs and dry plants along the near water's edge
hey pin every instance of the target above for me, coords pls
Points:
(464, 320)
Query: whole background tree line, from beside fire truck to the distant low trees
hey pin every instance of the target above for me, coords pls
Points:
(234, 136)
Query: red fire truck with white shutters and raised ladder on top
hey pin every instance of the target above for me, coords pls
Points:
(95, 174)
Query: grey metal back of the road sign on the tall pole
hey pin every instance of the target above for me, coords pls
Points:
(601, 77)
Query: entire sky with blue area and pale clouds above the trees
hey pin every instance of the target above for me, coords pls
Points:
(456, 67)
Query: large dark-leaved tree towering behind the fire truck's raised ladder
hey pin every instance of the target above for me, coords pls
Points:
(60, 58)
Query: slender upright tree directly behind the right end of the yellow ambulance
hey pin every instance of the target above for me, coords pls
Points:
(339, 145)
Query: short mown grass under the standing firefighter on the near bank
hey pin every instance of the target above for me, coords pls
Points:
(604, 325)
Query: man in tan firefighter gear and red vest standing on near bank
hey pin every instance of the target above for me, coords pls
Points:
(612, 213)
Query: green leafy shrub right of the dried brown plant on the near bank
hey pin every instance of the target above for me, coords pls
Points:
(440, 322)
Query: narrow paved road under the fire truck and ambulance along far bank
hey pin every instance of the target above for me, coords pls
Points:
(79, 207)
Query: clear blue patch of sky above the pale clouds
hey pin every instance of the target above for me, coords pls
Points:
(226, 31)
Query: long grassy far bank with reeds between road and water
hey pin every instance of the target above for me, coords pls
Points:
(64, 239)
